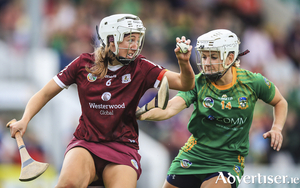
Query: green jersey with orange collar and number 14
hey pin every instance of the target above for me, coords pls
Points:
(220, 123)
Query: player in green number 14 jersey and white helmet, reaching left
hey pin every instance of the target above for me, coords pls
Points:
(224, 98)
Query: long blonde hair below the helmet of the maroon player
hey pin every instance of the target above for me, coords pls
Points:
(103, 56)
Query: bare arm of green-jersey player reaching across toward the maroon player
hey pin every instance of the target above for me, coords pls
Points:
(175, 105)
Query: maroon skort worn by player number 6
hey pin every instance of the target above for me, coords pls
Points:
(109, 152)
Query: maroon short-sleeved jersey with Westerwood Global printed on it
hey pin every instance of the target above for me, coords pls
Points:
(108, 105)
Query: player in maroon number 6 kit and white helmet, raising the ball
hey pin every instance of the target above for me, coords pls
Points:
(110, 82)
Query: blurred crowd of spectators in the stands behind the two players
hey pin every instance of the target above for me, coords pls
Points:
(68, 27)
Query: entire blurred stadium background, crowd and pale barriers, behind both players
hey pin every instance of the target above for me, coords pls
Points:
(39, 37)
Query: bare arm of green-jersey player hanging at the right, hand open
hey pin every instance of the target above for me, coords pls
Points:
(280, 113)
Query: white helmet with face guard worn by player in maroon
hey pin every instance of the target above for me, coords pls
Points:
(117, 26)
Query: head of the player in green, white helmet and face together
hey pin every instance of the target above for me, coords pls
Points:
(215, 47)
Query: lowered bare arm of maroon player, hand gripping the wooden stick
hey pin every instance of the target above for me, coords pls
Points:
(34, 105)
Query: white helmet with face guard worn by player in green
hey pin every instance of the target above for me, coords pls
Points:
(220, 40)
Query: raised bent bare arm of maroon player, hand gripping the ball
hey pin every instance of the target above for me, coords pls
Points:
(184, 80)
